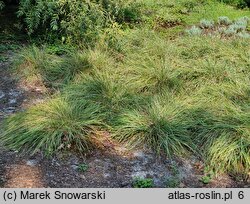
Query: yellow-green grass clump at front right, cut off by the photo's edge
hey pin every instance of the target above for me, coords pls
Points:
(222, 131)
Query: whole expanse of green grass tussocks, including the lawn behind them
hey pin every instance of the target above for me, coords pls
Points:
(153, 84)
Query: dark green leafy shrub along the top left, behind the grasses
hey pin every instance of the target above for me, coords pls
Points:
(74, 20)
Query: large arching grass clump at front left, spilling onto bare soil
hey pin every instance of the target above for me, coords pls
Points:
(51, 126)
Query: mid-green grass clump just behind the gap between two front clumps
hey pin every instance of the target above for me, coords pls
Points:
(100, 88)
